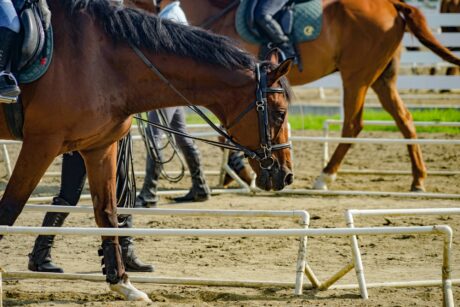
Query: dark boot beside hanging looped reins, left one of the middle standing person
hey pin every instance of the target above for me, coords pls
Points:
(148, 198)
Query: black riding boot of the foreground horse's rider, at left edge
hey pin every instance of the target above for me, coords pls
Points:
(9, 89)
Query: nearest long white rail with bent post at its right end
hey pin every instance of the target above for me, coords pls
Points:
(438, 229)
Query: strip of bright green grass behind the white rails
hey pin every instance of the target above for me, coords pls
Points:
(315, 122)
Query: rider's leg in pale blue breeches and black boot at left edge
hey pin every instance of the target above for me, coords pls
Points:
(9, 34)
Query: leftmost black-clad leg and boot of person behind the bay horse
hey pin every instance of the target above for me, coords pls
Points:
(73, 178)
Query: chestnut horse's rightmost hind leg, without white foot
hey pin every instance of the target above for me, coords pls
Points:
(385, 87)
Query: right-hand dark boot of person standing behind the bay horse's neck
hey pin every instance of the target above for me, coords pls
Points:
(200, 190)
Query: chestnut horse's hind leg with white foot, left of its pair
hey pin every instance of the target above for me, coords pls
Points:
(352, 125)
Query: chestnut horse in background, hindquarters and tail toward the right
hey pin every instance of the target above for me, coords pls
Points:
(362, 40)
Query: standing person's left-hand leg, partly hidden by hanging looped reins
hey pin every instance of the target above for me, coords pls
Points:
(148, 195)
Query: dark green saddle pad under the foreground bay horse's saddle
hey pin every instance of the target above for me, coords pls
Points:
(37, 69)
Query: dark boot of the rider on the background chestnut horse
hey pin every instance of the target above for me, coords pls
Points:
(274, 31)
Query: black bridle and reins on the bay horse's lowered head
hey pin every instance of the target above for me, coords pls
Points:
(264, 153)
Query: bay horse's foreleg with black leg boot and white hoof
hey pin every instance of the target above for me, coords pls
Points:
(101, 170)
